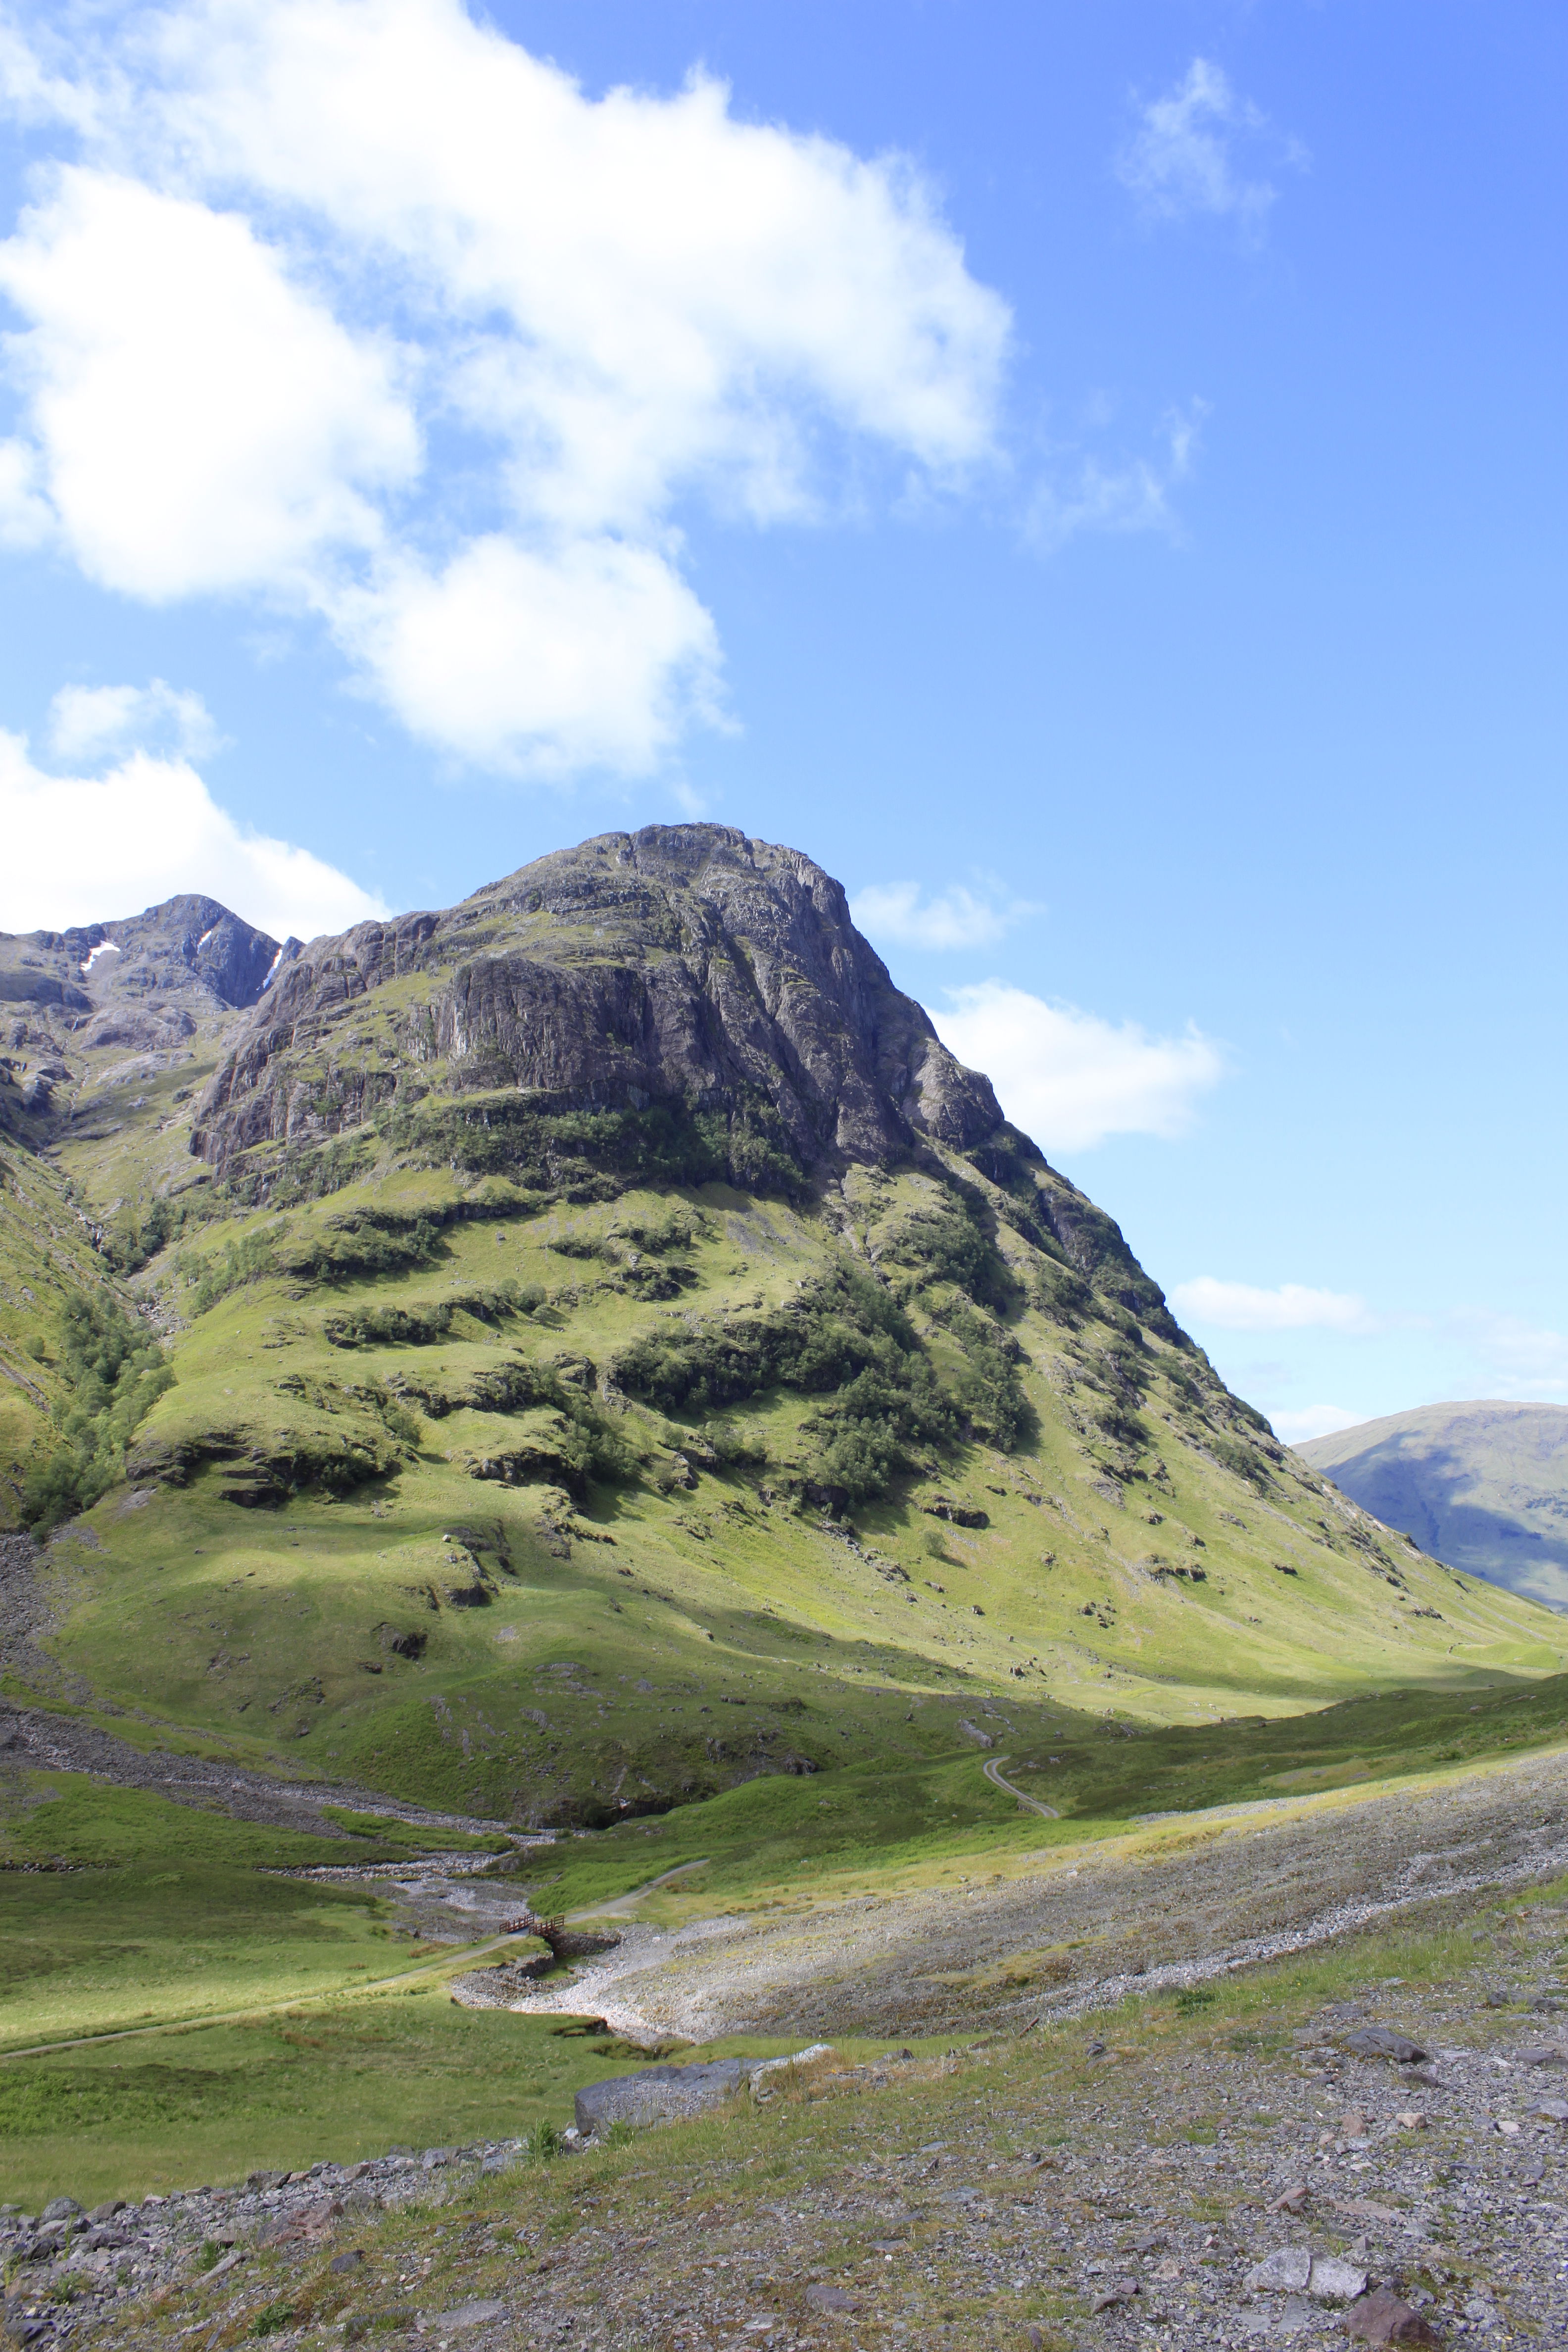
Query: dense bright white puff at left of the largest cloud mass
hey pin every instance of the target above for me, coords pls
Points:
(201, 425)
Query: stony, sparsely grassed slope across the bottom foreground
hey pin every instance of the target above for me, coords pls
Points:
(1362, 2146)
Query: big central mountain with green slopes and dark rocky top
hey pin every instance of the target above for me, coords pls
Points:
(594, 1347)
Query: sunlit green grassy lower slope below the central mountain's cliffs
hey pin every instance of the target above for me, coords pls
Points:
(413, 1528)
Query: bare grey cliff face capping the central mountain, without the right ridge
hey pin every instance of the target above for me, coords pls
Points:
(681, 963)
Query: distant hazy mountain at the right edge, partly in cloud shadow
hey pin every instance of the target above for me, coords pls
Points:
(1480, 1485)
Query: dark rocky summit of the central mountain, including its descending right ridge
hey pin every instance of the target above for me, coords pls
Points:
(683, 982)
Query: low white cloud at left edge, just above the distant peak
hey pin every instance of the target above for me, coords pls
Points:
(93, 848)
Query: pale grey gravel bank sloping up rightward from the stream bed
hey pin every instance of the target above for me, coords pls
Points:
(1172, 1904)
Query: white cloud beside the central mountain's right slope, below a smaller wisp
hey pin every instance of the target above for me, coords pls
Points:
(1071, 1078)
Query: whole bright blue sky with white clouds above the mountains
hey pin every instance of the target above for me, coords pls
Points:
(1094, 479)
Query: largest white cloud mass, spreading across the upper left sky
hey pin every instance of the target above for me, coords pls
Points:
(359, 307)
